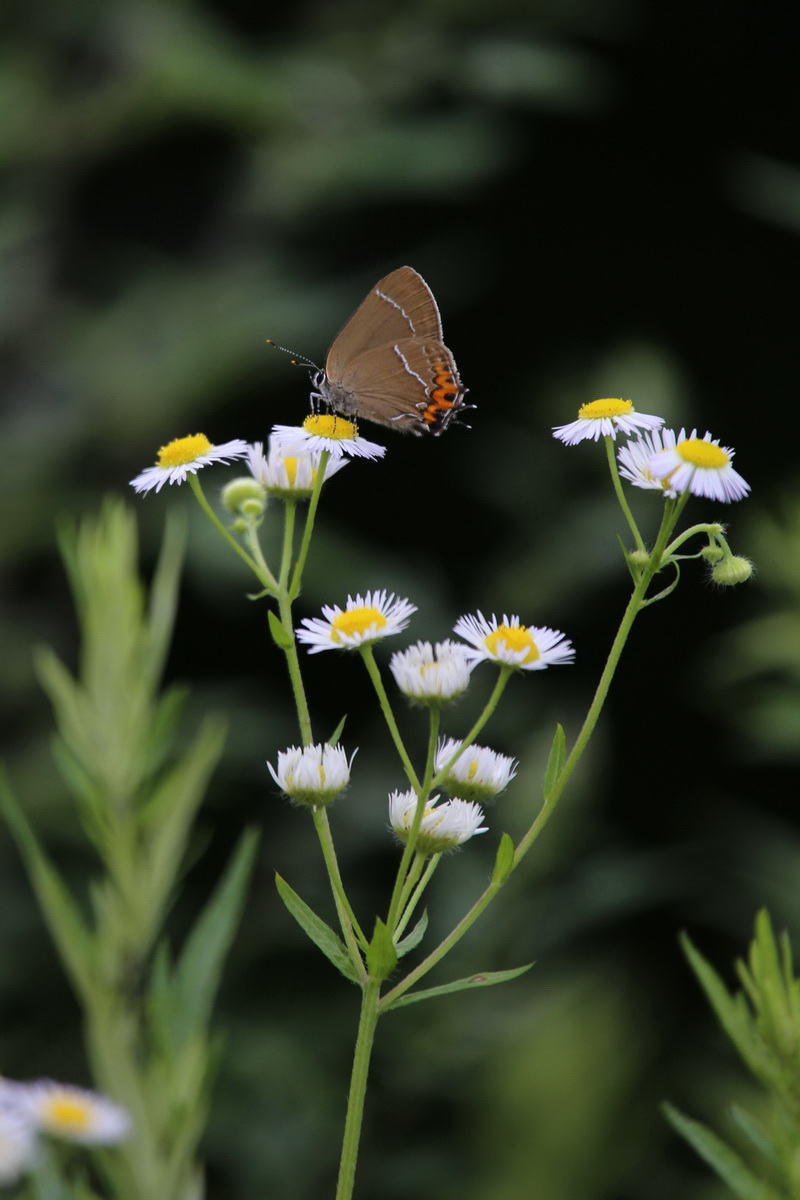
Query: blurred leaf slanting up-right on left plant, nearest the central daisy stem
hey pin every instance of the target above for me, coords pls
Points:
(200, 967)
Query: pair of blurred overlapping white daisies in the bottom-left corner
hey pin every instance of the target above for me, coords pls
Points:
(57, 1111)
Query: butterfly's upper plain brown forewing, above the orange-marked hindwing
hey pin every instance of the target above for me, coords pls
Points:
(400, 307)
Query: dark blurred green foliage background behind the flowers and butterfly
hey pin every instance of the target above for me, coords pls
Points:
(605, 196)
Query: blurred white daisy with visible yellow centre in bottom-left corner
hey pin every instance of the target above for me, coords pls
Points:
(74, 1114)
